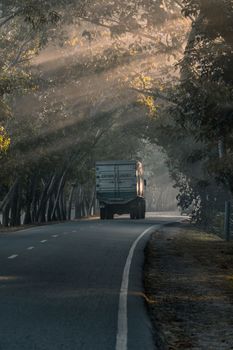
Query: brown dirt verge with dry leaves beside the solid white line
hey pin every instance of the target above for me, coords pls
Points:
(189, 289)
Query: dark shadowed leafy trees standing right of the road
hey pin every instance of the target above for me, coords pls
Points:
(195, 126)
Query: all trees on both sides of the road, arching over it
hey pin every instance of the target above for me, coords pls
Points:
(98, 65)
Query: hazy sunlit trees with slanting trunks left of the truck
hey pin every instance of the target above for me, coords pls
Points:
(59, 122)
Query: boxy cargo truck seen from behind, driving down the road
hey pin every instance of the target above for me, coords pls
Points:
(120, 188)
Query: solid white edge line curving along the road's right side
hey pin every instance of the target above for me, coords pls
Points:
(122, 326)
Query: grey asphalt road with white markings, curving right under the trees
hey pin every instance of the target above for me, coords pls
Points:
(66, 286)
